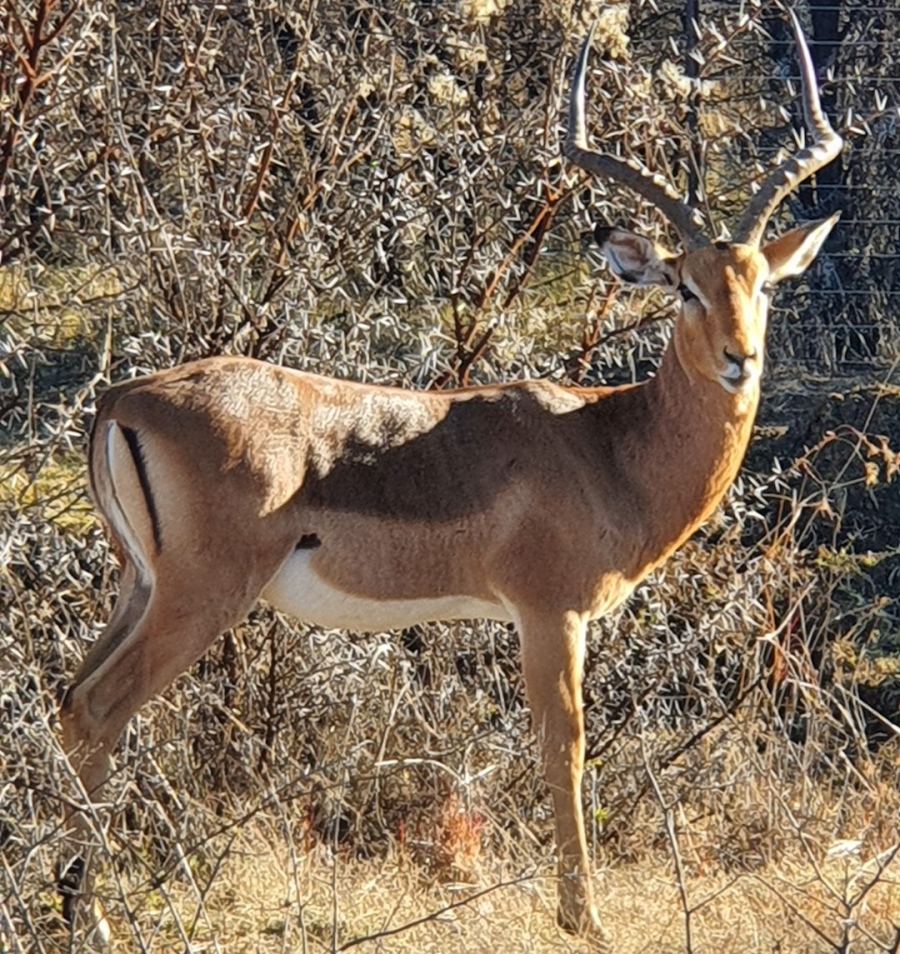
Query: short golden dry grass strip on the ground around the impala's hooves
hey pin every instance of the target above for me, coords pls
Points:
(269, 895)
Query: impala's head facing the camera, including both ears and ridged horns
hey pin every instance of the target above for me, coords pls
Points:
(724, 286)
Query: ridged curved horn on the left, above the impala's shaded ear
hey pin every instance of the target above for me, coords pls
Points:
(653, 188)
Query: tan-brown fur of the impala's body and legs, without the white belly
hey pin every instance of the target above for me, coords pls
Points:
(550, 502)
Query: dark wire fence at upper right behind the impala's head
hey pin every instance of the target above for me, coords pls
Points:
(842, 318)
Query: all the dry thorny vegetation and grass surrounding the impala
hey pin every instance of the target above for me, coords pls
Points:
(375, 190)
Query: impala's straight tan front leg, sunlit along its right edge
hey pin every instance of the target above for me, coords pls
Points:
(553, 648)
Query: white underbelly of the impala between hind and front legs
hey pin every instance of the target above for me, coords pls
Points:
(296, 589)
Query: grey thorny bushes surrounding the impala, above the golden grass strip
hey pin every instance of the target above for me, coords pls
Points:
(376, 191)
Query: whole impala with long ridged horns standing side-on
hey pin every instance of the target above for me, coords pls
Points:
(227, 480)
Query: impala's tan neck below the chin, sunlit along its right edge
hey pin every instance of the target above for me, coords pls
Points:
(697, 436)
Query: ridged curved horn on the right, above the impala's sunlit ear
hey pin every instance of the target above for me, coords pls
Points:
(826, 145)
